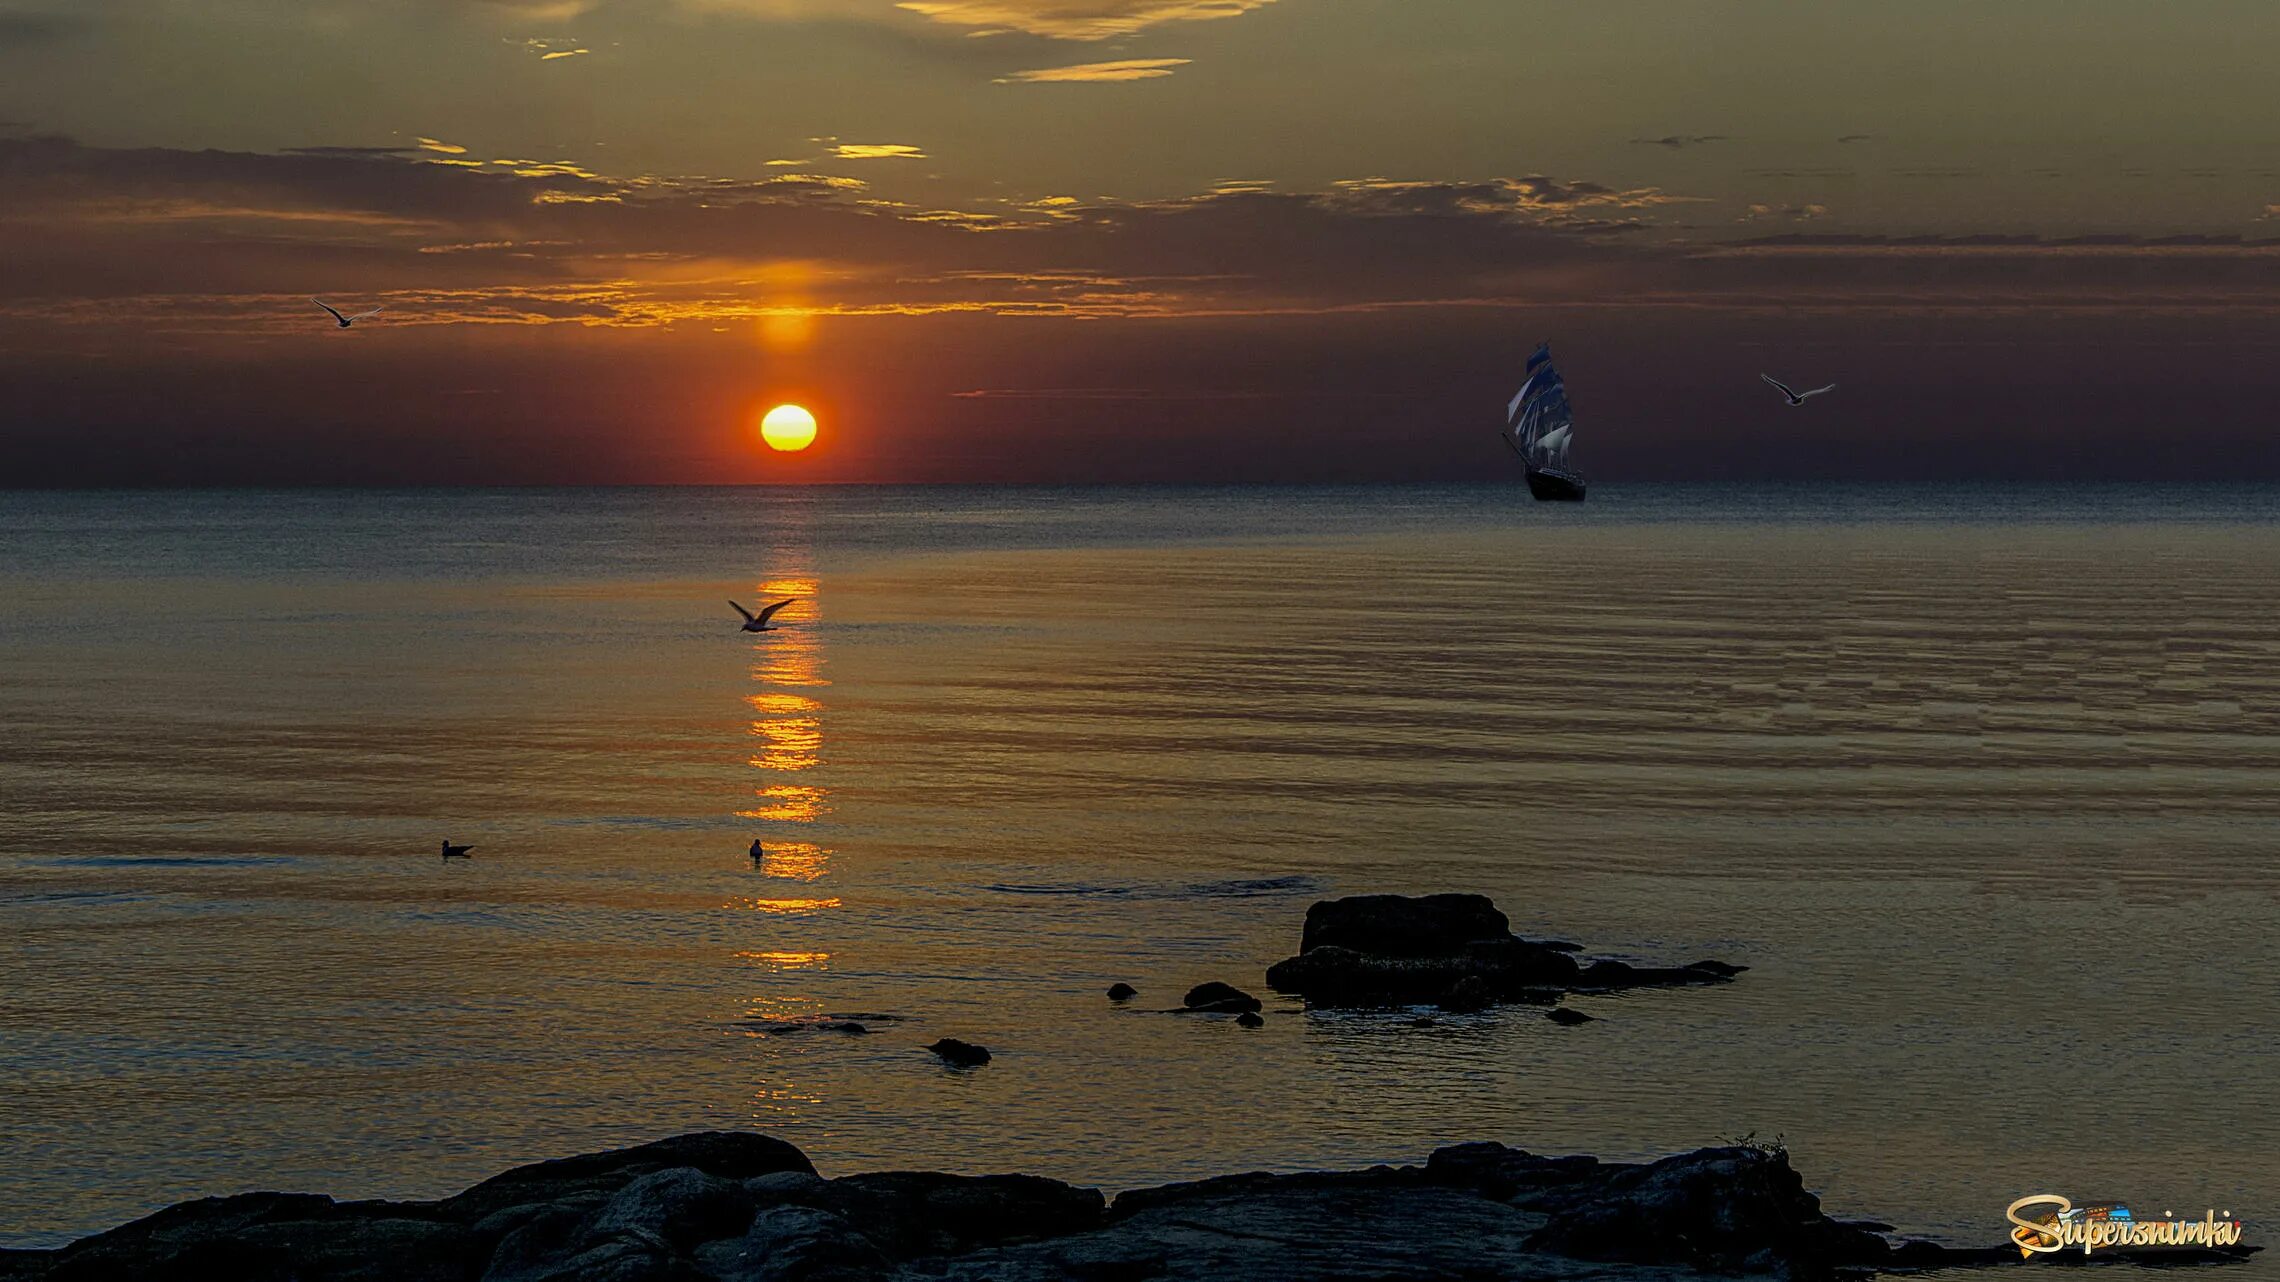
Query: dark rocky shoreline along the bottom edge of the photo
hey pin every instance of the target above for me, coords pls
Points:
(749, 1208)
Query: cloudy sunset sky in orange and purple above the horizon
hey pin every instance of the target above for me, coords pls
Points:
(1132, 241)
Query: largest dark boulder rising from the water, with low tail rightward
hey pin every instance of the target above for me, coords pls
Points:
(1451, 950)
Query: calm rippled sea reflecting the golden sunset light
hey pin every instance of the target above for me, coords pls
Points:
(1982, 784)
